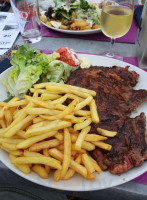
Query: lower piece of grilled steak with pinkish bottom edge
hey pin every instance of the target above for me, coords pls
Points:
(129, 147)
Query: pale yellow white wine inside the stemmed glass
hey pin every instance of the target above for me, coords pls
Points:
(116, 20)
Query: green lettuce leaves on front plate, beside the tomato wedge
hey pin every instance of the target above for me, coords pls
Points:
(31, 66)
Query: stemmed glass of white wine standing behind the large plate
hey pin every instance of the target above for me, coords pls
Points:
(116, 20)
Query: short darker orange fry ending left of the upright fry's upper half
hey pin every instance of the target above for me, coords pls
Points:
(44, 145)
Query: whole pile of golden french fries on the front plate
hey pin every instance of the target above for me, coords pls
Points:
(48, 131)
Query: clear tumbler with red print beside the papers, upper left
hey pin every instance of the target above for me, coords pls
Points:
(27, 16)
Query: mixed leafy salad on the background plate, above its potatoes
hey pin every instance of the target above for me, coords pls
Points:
(77, 9)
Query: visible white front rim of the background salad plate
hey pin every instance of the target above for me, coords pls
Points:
(85, 32)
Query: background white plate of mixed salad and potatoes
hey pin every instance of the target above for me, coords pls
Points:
(72, 16)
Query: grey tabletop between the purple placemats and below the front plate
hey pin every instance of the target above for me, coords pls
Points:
(126, 191)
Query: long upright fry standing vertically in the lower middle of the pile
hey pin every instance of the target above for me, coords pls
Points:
(67, 152)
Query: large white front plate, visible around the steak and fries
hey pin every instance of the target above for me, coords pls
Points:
(105, 179)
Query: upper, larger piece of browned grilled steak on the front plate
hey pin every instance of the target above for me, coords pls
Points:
(115, 97)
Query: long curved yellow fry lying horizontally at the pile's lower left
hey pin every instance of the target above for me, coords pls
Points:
(38, 160)
